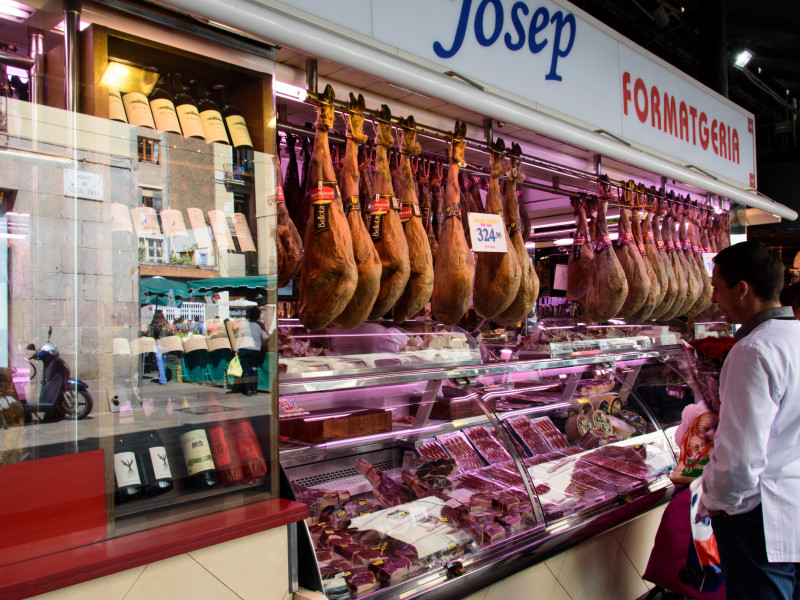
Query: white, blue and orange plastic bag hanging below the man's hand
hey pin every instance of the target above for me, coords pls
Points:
(702, 562)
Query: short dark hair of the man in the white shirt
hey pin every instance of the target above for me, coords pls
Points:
(753, 262)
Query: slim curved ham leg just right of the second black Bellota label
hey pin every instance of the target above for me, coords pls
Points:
(420, 280)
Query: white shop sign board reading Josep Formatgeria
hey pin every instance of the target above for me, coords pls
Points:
(566, 63)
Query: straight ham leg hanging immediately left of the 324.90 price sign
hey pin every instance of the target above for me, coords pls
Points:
(454, 268)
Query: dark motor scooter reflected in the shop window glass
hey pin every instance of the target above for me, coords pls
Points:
(60, 397)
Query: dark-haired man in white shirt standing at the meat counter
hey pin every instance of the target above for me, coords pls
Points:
(751, 486)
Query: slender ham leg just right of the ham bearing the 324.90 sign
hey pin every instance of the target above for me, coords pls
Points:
(528, 291)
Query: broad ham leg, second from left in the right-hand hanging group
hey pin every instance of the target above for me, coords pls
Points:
(608, 286)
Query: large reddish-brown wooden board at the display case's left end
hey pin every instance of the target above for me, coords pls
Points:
(343, 422)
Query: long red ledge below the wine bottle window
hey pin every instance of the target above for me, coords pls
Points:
(68, 567)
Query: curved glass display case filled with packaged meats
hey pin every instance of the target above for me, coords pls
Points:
(439, 480)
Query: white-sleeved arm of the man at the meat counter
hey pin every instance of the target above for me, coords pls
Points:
(740, 446)
